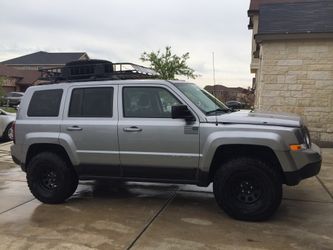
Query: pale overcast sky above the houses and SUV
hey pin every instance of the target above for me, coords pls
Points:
(121, 30)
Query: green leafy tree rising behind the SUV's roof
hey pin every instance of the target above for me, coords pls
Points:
(169, 65)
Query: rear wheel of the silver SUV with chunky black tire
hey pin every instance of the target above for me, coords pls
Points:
(51, 179)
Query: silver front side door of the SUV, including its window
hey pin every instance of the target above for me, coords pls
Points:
(151, 143)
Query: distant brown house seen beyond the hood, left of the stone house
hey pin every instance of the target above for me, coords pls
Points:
(225, 94)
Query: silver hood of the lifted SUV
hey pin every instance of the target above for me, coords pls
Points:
(259, 118)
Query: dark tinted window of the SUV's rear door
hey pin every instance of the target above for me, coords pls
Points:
(91, 102)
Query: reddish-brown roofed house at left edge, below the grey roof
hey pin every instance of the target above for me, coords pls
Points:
(17, 80)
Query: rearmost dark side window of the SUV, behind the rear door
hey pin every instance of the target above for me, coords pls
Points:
(45, 103)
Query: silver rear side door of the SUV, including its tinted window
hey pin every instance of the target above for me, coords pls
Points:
(90, 125)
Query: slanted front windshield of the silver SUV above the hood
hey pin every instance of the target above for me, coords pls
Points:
(205, 101)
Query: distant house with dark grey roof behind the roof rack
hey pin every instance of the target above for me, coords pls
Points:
(42, 60)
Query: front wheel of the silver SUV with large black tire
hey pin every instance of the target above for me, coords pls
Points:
(248, 189)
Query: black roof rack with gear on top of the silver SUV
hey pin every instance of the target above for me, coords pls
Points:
(94, 69)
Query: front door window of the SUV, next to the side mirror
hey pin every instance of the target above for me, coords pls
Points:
(148, 102)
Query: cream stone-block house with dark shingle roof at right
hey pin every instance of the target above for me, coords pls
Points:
(292, 59)
